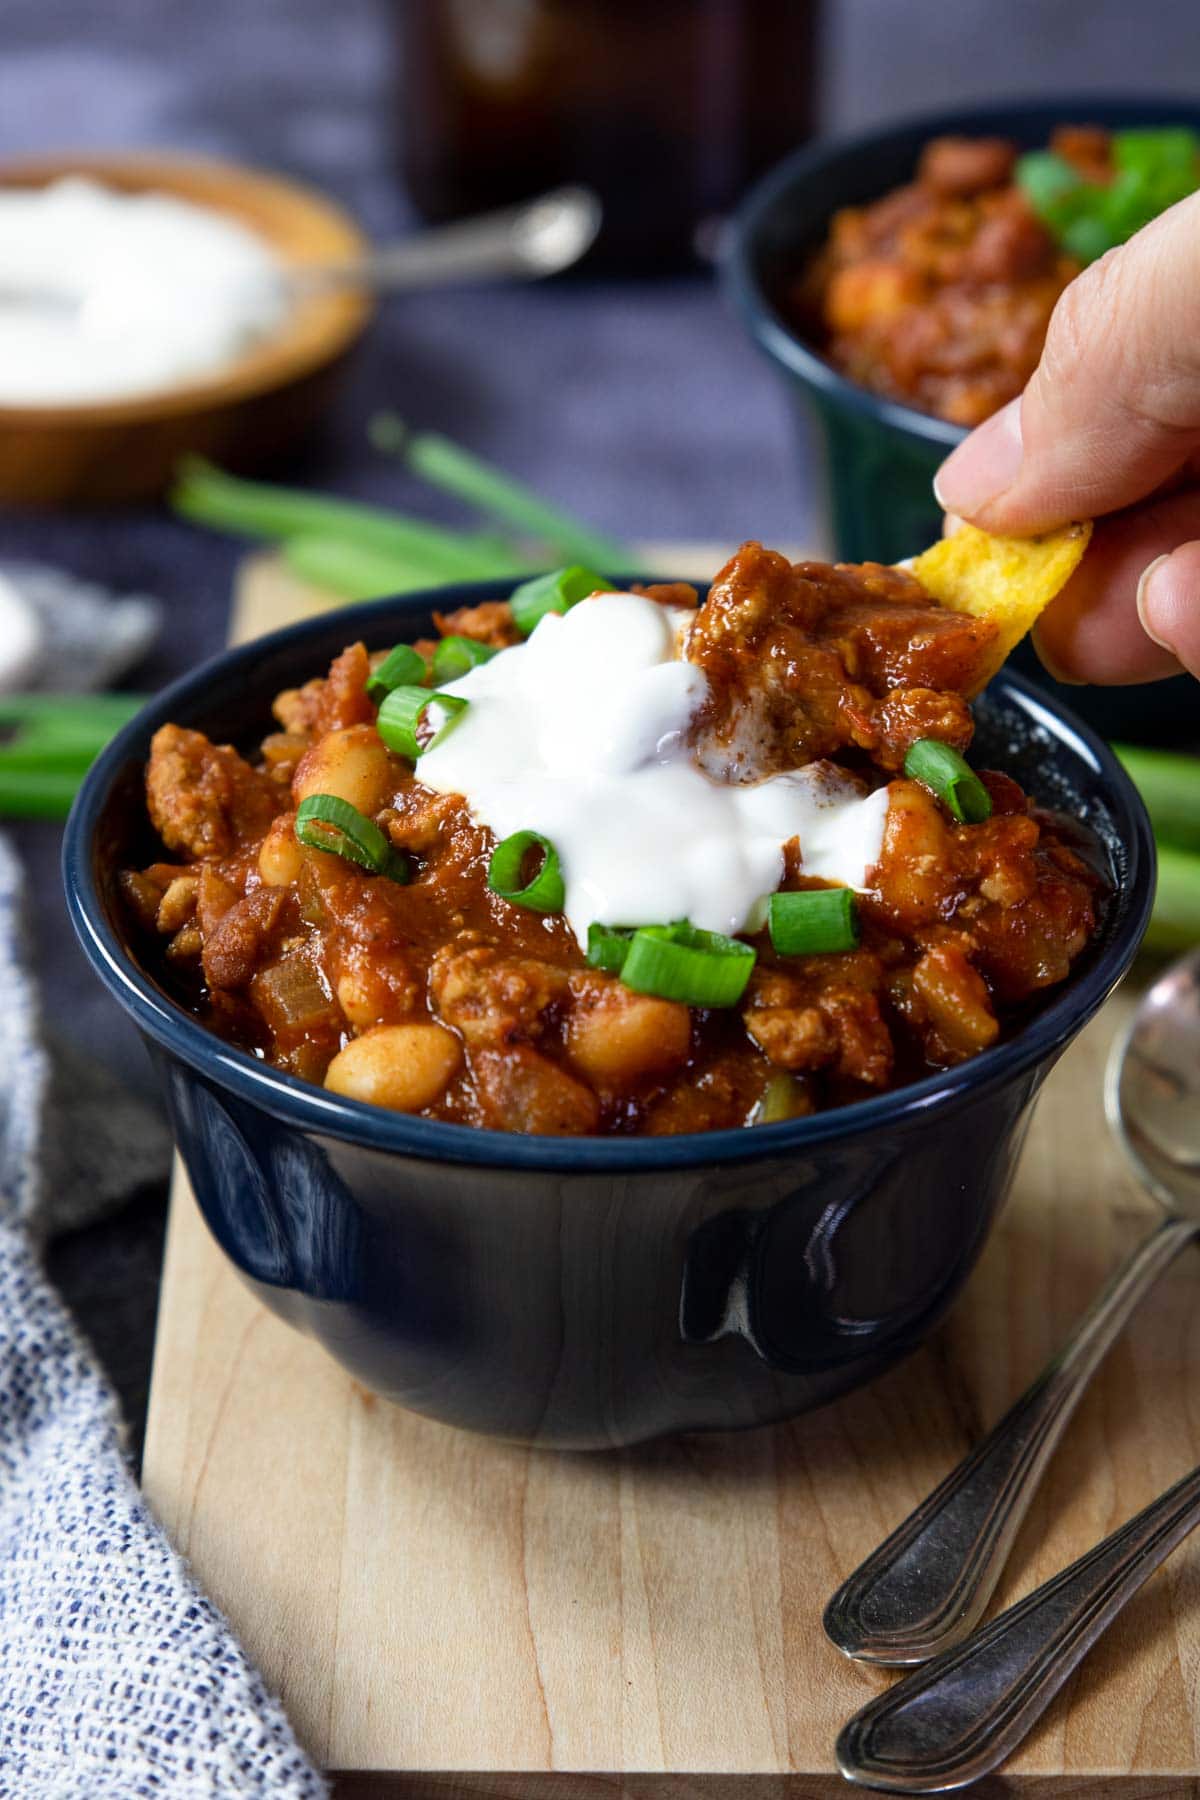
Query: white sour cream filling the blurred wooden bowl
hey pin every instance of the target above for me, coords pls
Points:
(105, 296)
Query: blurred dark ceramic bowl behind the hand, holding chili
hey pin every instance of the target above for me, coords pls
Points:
(881, 456)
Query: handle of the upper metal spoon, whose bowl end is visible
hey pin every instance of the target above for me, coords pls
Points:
(929, 1583)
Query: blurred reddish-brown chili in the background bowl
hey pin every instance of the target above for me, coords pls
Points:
(940, 294)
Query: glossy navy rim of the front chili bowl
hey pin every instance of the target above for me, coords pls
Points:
(314, 1110)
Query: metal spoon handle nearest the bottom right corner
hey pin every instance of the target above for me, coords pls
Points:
(965, 1713)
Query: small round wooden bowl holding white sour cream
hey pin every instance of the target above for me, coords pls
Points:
(253, 409)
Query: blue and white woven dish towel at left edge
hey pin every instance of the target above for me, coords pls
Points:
(118, 1678)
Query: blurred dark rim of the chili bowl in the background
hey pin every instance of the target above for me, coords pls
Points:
(812, 161)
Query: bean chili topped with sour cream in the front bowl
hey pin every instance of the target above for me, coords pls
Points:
(413, 980)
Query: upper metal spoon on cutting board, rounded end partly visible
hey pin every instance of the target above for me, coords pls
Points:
(929, 1585)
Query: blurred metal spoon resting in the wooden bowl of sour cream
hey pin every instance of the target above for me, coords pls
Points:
(517, 244)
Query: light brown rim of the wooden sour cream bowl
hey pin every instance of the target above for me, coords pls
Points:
(280, 361)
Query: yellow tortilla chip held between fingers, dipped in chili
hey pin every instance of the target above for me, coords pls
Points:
(1005, 580)
